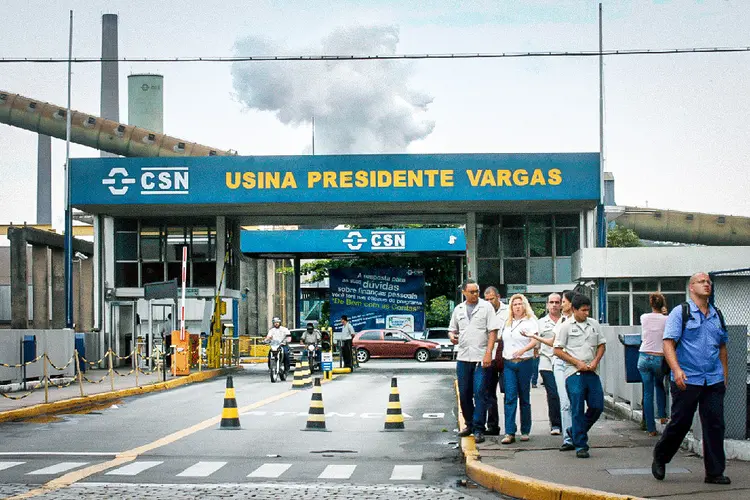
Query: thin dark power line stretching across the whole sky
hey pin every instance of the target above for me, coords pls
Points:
(378, 57)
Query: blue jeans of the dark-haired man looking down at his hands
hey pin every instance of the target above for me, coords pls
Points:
(584, 389)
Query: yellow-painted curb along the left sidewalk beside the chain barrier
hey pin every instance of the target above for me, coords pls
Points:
(79, 402)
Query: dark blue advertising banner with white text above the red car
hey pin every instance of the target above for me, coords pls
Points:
(378, 298)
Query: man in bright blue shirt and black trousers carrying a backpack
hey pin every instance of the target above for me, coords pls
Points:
(695, 346)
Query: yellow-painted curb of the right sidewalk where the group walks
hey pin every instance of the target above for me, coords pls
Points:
(518, 486)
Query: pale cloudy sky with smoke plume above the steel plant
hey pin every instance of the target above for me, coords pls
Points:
(676, 126)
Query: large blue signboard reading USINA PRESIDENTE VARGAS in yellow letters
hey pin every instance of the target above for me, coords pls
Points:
(227, 180)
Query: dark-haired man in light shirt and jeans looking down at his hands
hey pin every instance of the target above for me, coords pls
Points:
(581, 344)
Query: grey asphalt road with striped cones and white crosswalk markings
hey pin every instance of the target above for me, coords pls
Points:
(174, 445)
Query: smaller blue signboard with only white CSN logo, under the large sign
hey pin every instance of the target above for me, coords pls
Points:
(326, 241)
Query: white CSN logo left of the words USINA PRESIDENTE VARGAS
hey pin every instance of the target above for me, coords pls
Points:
(153, 181)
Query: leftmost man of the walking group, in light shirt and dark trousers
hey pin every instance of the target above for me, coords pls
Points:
(473, 328)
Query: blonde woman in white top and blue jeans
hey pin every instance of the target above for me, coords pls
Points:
(518, 359)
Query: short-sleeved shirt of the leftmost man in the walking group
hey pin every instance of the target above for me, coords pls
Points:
(473, 331)
